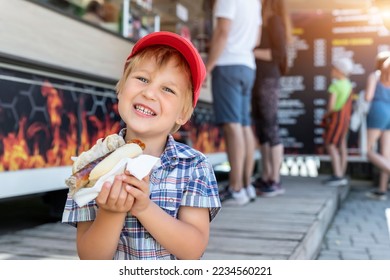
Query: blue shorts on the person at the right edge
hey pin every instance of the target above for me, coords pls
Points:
(379, 115)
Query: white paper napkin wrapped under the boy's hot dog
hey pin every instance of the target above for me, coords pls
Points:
(139, 167)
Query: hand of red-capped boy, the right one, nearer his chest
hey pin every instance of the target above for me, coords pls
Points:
(139, 189)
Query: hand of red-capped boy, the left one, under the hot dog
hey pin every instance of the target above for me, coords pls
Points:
(114, 197)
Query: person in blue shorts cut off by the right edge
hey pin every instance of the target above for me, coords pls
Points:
(378, 122)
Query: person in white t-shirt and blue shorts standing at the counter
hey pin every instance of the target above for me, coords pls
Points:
(232, 65)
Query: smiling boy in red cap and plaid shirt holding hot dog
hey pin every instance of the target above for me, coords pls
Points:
(165, 215)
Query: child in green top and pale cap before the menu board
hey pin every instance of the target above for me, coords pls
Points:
(338, 114)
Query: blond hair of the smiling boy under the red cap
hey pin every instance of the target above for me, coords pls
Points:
(162, 55)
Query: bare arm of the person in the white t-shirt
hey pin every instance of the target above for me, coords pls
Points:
(218, 42)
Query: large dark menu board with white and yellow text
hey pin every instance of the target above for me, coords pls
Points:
(321, 37)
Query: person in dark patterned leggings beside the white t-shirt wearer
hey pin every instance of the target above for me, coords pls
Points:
(270, 55)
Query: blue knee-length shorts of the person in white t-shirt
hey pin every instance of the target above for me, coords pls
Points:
(232, 92)
